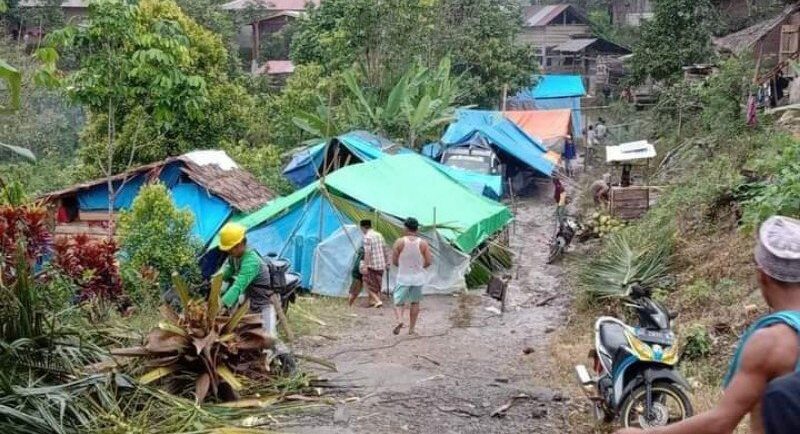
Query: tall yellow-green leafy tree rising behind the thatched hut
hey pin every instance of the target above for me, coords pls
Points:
(154, 81)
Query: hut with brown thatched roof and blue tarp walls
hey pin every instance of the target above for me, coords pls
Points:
(207, 183)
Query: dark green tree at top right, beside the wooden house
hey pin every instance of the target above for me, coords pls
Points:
(678, 35)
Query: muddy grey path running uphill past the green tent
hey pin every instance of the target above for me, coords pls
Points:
(467, 361)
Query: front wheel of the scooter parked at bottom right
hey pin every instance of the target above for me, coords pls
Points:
(670, 405)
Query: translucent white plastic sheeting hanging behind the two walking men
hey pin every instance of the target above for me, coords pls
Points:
(335, 257)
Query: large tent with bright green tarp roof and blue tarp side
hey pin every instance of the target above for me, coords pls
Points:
(387, 189)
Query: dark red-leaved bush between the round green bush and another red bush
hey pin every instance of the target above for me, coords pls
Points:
(91, 264)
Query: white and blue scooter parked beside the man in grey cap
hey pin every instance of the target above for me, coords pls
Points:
(636, 379)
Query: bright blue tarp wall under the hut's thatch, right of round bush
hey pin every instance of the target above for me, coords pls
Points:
(210, 212)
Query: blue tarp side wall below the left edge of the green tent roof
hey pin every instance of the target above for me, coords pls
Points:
(309, 222)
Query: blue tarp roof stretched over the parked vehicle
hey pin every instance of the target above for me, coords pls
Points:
(496, 129)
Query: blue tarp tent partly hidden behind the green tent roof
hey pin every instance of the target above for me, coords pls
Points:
(359, 146)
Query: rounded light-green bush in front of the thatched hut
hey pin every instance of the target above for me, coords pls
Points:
(156, 237)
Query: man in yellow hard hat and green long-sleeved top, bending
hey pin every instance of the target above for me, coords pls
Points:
(246, 273)
